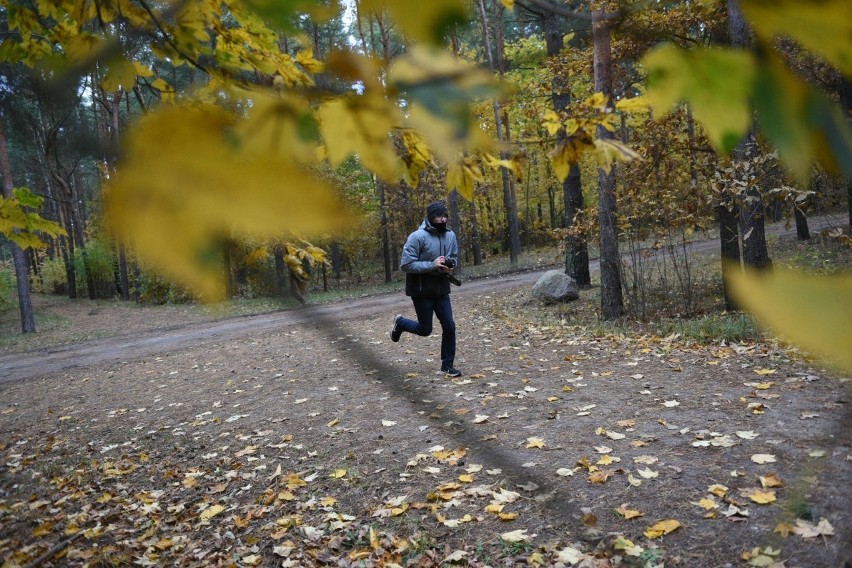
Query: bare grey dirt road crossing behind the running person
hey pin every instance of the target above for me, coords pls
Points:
(21, 366)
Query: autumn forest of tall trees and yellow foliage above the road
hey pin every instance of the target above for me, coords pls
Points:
(232, 117)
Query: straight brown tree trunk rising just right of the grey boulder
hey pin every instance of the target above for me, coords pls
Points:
(612, 302)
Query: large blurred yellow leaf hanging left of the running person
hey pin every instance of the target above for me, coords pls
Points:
(177, 207)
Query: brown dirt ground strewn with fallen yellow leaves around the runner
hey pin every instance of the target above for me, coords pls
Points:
(308, 438)
